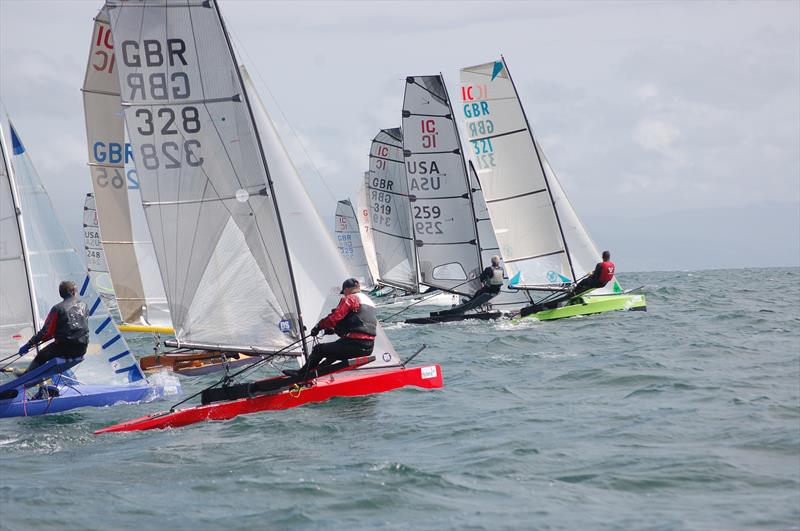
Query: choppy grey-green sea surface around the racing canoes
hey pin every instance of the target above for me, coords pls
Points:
(683, 417)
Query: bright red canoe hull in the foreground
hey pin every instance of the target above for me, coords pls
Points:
(352, 383)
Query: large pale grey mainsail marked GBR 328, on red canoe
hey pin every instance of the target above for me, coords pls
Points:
(204, 182)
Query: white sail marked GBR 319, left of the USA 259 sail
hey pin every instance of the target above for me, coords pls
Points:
(390, 212)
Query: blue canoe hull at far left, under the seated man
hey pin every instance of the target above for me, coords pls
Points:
(72, 397)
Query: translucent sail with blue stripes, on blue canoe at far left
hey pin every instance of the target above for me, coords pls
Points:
(52, 259)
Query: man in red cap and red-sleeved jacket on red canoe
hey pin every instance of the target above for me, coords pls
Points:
(353, 320)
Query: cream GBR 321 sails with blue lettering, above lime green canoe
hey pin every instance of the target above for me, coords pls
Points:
(535, 225)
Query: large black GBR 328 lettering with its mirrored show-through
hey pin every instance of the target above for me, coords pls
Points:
(173, 124)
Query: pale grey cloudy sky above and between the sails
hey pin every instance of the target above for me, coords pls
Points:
(674, 127)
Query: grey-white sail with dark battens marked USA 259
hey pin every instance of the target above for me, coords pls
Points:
(441, 203)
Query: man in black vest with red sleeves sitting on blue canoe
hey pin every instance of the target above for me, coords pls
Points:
(67, 325)
